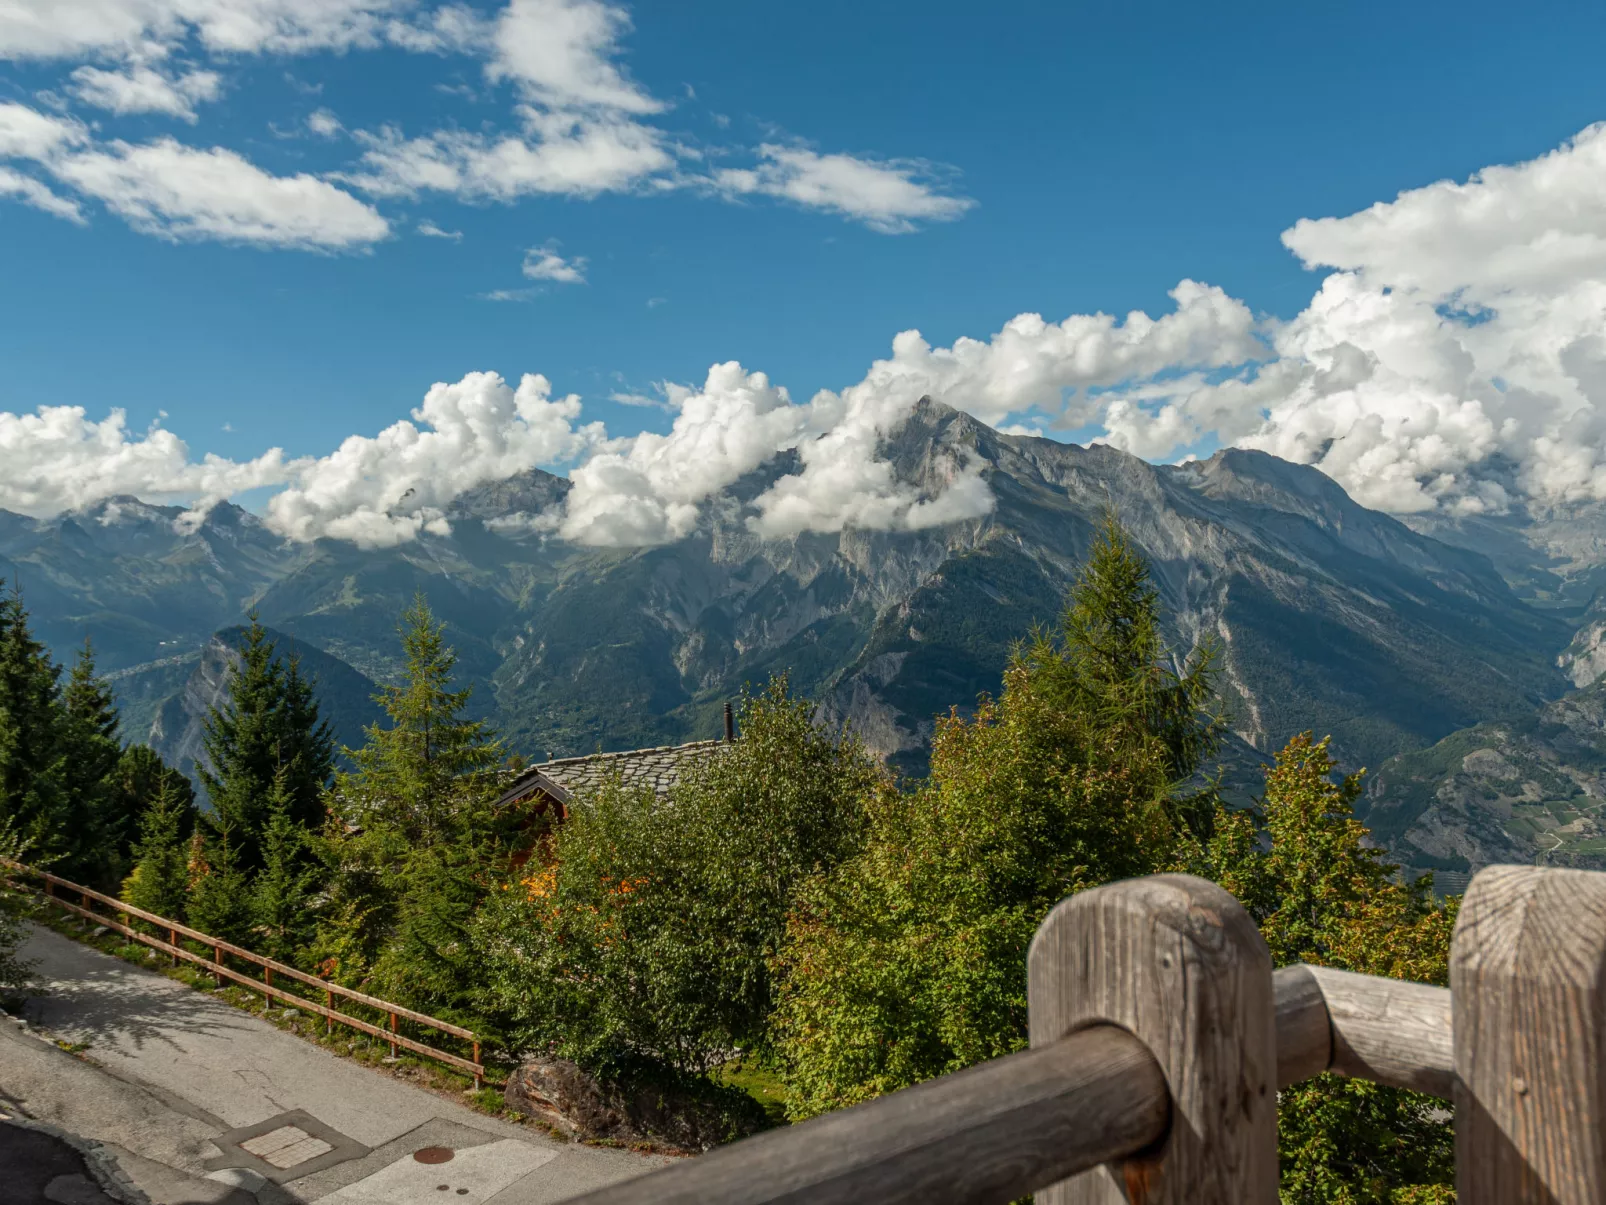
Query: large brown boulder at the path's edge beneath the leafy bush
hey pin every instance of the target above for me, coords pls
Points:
(643, 1109)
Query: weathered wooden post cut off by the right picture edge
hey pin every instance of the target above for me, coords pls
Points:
(1528, 984)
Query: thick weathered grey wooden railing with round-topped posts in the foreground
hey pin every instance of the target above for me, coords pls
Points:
(1160, 1039)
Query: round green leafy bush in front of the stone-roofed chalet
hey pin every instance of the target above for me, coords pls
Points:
(646, 931)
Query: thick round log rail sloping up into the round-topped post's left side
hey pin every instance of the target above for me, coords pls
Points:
(987, 1135)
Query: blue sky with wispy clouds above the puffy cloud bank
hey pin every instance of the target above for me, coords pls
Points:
(1040, 158)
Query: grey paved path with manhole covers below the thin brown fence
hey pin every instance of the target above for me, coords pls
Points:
(179, 1082)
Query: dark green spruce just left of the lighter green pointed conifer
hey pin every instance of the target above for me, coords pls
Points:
(269, 722)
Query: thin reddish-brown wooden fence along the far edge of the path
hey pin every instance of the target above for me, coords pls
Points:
(271, 968)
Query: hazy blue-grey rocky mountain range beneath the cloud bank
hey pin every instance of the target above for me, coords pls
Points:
(1390, 635)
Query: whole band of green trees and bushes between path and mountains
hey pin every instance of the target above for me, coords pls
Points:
(793, 907)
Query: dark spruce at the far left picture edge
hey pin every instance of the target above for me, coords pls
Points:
(35, 794)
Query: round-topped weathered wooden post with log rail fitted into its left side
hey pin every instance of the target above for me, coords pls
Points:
(1178, 963)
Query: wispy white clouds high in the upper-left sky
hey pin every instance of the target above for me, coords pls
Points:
(576, 123)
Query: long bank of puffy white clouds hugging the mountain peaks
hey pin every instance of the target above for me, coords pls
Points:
(1454, 357)
